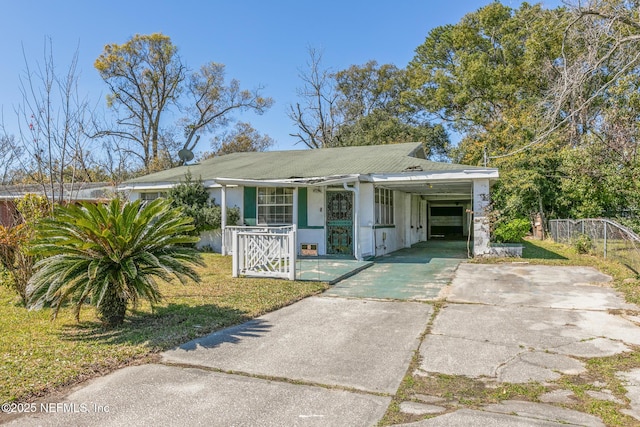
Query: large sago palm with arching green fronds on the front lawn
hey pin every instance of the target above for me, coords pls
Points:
(110, 255)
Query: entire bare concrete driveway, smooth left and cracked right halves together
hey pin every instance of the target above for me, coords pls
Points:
(335, 361)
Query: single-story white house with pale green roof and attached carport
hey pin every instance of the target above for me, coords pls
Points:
(359, 201)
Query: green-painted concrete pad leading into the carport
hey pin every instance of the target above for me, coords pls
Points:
(417, 273)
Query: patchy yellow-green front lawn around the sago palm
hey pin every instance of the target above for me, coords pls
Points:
(38, 355)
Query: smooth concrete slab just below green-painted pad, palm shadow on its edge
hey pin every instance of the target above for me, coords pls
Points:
(361, 344)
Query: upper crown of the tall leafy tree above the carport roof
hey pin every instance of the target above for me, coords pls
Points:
(485, 75)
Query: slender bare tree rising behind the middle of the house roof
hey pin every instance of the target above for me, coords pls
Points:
(318, 117)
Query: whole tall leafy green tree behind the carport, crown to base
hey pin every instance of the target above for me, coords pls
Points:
(488, 77)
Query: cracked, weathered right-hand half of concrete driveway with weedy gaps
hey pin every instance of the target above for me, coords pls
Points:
(522, 324)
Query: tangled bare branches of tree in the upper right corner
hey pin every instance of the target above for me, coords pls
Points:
(592, 79)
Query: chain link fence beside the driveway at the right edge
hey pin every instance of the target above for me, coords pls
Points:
(600, 236)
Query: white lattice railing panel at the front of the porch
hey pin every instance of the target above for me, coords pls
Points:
(264, 251)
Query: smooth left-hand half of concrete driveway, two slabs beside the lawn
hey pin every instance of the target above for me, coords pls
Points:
(319, 362)
